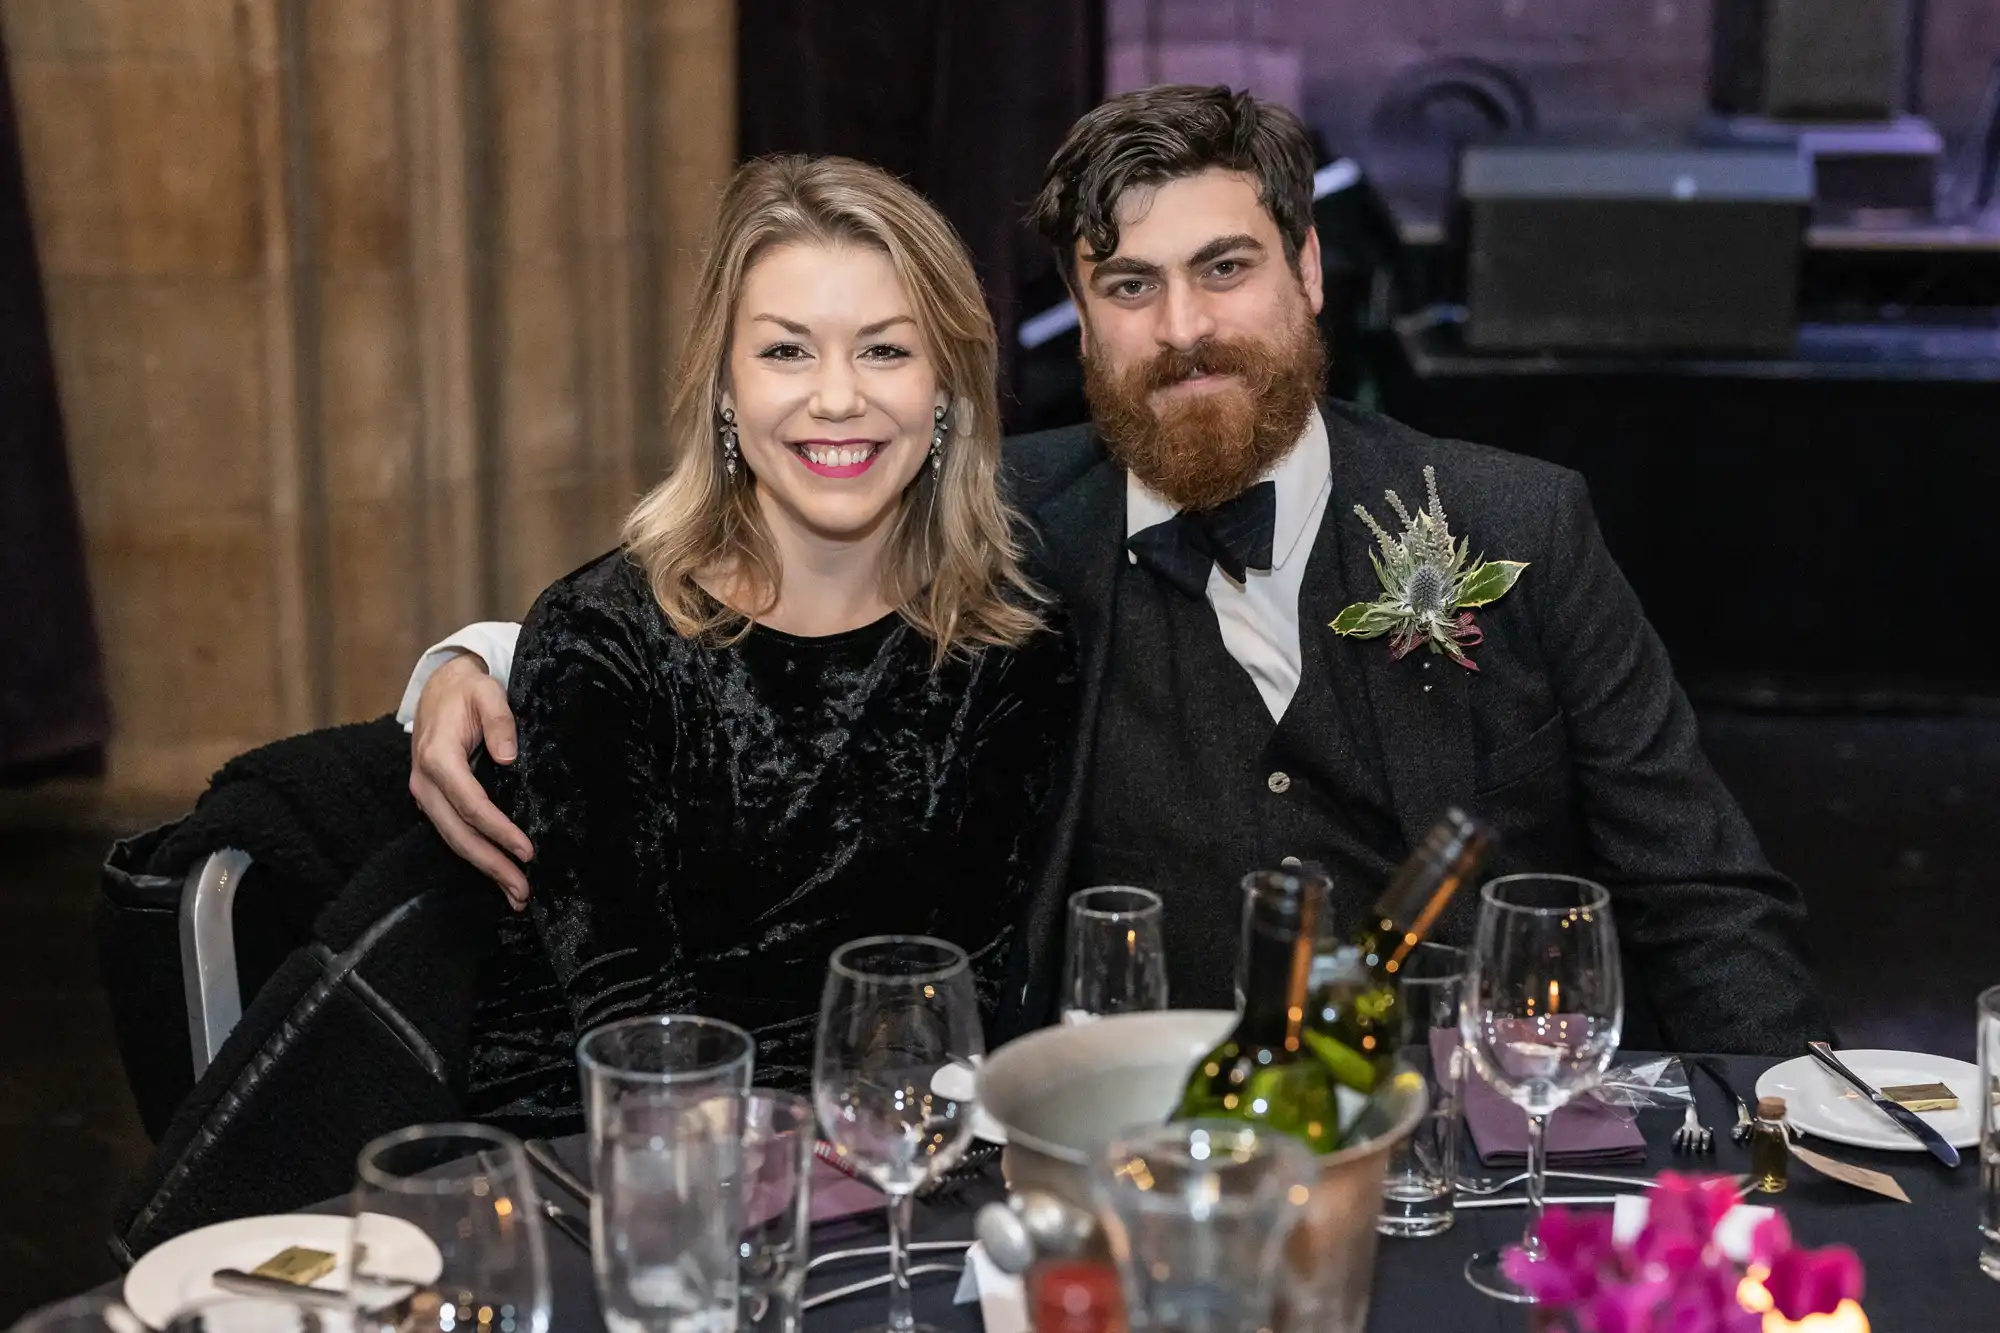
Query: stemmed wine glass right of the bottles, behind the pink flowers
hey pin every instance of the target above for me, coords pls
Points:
(1541, 1016)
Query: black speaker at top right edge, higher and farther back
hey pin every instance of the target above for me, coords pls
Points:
(1809, 59)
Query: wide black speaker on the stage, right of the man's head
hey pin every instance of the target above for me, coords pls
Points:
(1631, 249)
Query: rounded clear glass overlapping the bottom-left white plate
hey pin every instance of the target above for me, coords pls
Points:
(453, 1212)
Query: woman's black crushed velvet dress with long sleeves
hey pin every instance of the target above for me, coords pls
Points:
(713, 822)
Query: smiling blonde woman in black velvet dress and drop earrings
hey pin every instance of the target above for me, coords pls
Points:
(813, 696)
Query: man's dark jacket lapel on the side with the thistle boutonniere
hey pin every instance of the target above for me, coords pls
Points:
(1421, 706)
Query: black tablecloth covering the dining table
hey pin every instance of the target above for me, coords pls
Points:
(1921, 1256)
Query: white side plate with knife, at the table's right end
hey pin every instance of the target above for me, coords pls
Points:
(1823, 1104)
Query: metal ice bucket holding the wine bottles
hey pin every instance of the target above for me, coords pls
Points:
(1063, 1096)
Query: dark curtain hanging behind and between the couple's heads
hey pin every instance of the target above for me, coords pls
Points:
(963, 99)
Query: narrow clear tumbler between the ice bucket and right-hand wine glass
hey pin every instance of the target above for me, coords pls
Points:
(1423, 1172)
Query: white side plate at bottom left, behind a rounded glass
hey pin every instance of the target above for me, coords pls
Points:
(175, 1276)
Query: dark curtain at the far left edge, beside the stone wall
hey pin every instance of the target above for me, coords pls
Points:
(53, 714)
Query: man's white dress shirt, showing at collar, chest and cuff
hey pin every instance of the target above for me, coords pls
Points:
(1259, 617)
